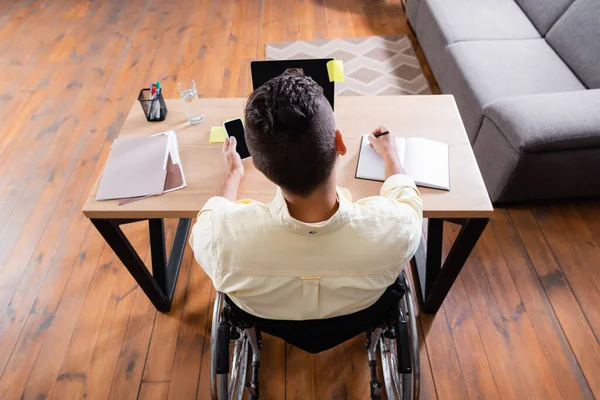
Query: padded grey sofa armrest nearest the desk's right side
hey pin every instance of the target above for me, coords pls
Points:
(548, 122)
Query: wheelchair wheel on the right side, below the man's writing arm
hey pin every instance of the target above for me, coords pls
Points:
(402, 385)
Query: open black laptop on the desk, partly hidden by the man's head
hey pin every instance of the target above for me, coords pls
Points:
(263, 71)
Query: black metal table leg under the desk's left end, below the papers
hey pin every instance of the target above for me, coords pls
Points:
(159, 286)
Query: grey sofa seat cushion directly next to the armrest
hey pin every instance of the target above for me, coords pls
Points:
(480, 72)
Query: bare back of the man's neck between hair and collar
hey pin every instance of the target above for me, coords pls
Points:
(319, 206)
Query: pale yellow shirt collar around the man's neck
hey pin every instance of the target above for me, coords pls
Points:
(281, 215)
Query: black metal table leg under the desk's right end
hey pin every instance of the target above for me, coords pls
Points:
(436, 278)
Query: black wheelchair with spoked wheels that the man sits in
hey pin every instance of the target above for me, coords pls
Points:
(236, 340)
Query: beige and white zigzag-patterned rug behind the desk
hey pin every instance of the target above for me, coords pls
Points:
(375, 65)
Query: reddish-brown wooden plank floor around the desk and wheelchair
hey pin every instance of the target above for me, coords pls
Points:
(522, 321)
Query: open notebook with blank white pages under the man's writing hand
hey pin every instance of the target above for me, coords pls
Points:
(424, 160)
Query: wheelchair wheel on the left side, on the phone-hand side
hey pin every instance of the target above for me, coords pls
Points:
(228, 384)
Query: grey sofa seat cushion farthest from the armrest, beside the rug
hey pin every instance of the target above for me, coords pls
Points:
(442, 22)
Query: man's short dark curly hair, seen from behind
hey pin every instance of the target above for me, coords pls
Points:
(290, 132)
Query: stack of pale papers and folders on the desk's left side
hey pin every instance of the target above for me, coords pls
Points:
(140, 167)
